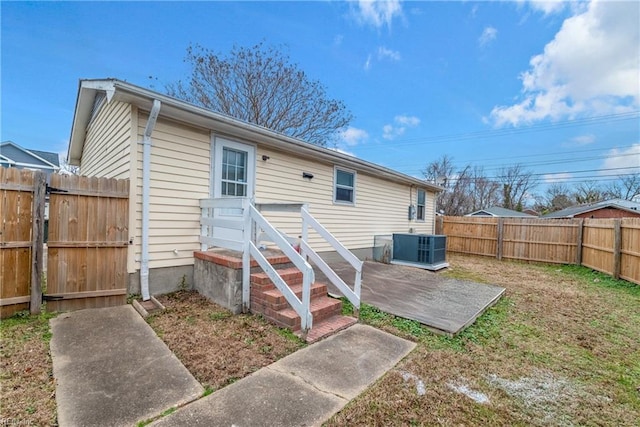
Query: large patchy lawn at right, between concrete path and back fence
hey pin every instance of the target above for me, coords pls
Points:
(561, 348)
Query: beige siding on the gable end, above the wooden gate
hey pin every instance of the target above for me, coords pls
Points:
(107, 146)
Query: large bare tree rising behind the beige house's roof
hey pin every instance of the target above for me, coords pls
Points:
(259, 85)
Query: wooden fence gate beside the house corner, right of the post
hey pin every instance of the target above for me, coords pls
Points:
(87, 243)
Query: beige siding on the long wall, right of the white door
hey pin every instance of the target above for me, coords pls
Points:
(381, 206)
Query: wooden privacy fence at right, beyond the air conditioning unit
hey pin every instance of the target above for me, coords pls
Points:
(611, 246)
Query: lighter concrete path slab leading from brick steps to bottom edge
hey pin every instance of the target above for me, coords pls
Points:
(305, 388)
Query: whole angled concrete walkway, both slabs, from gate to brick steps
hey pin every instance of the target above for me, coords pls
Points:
(112, 370)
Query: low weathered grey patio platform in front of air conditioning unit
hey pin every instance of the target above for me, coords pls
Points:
(443, 305)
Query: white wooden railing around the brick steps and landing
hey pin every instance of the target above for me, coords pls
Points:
(235, 226)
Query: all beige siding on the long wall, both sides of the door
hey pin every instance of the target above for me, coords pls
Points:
(180, 167)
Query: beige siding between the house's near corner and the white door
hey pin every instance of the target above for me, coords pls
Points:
(180, 157)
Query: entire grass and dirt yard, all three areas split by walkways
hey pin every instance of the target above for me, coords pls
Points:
(561, 348)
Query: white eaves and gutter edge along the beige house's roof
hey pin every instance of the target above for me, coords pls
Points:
(183, 111)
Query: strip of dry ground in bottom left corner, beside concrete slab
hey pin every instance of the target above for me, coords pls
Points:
(27, 386)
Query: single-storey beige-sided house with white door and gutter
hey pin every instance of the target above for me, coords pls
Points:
(176, 154)
